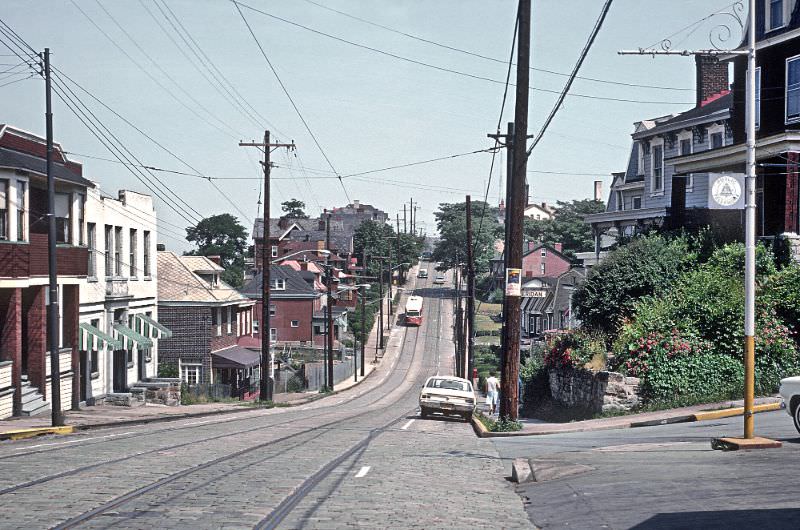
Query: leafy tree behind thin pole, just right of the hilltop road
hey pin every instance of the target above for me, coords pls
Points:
(451, 221)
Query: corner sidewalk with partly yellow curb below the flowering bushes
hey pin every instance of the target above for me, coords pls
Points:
(708, 411)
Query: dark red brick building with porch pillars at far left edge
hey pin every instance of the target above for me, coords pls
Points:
(25, 378)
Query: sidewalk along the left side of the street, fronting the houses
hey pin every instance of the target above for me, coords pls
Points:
(93, 417)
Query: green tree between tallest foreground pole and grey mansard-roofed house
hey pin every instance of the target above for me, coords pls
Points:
(567, 226)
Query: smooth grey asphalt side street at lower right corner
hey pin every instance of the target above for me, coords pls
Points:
(663, 477)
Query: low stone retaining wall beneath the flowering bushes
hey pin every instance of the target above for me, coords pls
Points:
(593, 392)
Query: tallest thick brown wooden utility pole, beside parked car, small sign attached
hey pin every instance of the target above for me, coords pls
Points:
(509, 399)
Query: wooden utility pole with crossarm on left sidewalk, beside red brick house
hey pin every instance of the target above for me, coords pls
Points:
(267, 382)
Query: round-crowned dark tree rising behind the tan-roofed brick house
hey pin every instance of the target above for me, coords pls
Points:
(221, 235)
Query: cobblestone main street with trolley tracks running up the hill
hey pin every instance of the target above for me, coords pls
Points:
(361, 458)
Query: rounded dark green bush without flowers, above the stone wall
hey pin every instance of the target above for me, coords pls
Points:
(648, 265)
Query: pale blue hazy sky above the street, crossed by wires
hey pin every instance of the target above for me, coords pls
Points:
(358, 99)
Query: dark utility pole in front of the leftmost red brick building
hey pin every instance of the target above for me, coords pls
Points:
(56, 416)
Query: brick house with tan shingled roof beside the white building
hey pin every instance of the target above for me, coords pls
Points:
(208, 319)
